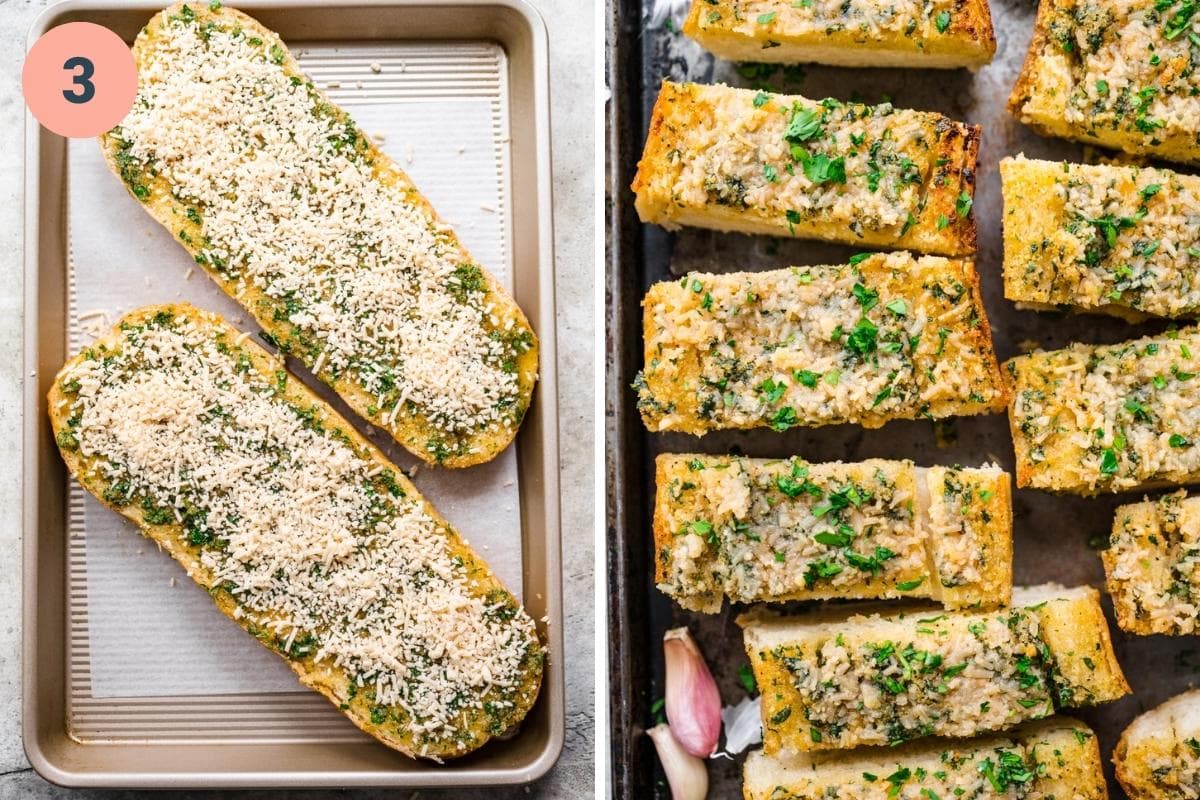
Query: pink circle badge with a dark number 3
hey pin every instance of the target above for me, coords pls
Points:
(80, 80)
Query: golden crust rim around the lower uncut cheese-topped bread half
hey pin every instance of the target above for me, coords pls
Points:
(331, 682)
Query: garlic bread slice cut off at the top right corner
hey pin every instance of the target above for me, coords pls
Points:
(1119, 75)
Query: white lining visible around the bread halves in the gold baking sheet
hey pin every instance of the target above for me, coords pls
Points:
(137, 599)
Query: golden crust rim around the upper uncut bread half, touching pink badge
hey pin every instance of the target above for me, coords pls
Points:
(411, 429)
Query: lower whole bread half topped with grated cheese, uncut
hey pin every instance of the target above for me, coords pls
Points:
(299, 528)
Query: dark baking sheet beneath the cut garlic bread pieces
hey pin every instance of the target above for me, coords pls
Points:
(1055, 537)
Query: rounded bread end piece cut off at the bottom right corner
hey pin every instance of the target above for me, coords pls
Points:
(1159, 755)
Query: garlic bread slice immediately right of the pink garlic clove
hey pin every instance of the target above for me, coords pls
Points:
(831, 681)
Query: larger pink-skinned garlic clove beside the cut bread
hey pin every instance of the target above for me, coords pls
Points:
(693, 702)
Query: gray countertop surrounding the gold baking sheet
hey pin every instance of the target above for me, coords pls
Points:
(572, 77)
